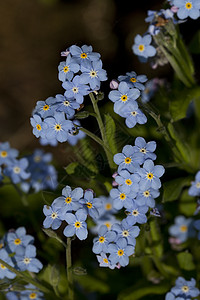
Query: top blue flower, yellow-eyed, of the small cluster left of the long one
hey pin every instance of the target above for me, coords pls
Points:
(69, 200)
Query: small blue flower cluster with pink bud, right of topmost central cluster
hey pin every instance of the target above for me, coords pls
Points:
(127, 89)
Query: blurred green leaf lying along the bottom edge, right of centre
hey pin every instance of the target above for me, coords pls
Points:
(138, 293)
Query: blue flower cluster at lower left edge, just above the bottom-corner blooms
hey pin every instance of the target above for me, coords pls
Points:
(17, 250)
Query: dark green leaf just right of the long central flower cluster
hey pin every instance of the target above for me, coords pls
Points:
(173, 188)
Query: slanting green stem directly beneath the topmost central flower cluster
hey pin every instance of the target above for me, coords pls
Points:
(109, 154)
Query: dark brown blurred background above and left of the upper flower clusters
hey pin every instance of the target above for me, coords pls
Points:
(34, 32)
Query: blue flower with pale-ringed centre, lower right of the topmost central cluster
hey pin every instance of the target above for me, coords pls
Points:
(93, 74)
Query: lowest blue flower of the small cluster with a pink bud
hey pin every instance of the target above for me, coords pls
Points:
(133, 114)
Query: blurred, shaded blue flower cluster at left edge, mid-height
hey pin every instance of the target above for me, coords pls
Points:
(33, 172)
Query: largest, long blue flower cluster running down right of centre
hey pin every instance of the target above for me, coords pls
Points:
(137, 187)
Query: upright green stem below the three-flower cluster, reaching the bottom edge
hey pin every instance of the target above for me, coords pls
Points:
(69, 270)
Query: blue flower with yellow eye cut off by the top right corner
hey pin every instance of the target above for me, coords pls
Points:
(187, 8)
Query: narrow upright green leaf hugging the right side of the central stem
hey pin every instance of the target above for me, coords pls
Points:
(110, 131)
